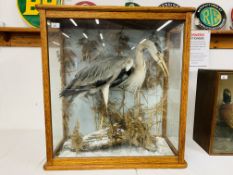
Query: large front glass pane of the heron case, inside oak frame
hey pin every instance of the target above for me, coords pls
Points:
(115, 86)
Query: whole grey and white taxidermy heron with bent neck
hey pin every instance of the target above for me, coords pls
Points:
(102, 74)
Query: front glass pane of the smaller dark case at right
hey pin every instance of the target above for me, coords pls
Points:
(223, 136)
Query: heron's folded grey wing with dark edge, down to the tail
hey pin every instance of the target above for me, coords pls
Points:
(95, 75)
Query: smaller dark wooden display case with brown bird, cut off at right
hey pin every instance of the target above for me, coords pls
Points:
(213, 125)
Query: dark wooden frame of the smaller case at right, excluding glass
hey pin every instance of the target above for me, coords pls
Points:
(207, 109)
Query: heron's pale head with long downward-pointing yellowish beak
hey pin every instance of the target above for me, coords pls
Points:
(158, 57)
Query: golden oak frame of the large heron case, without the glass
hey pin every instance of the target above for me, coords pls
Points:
(104, 12)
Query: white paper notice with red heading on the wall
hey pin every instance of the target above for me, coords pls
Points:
(199, 53)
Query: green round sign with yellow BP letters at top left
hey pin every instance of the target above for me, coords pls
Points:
(29, 12)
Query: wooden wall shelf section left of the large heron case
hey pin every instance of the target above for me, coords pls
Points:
(19, 37)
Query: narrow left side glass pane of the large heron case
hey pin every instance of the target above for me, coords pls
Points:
(55, 69)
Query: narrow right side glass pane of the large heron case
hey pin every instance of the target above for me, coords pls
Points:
(174, 84)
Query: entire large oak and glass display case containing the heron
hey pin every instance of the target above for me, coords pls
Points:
(115, 86)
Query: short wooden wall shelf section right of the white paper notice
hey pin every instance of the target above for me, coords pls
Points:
(221, 39)
